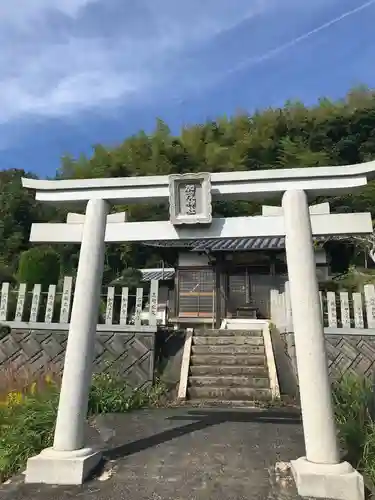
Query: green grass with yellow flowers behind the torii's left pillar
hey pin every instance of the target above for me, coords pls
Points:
(27, 417)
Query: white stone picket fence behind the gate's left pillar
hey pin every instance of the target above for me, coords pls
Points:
(30, 313)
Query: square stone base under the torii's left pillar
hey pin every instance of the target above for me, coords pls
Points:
(62, 467)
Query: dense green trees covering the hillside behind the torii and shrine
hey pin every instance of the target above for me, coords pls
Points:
(330, 133)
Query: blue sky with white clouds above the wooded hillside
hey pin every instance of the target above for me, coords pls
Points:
(78, 72)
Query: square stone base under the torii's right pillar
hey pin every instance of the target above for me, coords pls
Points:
(339, 481)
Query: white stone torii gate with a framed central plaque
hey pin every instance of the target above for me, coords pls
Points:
(320, 474)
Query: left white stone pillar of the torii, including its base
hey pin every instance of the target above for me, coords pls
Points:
(72, 411)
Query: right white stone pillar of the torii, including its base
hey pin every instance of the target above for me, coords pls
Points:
(320, 472)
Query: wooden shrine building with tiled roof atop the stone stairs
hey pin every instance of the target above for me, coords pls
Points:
(218, 279)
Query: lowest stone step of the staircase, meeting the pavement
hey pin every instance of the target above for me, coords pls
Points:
(229, 393)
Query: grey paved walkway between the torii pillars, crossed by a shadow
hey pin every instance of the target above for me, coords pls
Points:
(186, 454)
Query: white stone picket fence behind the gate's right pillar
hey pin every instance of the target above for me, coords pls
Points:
(342, 312)
